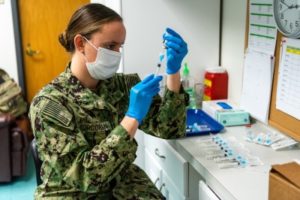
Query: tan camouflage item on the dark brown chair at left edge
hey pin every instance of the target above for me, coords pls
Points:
(11, 99)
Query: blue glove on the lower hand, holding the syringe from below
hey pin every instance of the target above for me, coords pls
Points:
(141, 97)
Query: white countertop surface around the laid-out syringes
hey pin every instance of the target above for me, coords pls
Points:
(236, 183)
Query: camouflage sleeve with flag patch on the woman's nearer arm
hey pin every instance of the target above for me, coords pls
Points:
(65, 152)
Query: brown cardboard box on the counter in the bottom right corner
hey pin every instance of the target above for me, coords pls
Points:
(284, 182)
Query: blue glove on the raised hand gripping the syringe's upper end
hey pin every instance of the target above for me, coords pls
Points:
(176, 50)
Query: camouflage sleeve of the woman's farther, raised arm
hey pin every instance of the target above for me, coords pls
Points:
(167, 116)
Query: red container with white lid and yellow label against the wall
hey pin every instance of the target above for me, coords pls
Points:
(215, 83)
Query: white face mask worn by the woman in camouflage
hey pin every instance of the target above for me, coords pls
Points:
(106, 64)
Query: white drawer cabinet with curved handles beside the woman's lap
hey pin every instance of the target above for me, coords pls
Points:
(166, 168)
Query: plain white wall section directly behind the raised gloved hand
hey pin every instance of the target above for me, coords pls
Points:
(196, 20)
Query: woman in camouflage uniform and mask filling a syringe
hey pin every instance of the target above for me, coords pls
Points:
(85, 120)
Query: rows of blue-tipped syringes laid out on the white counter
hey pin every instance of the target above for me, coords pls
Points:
(227, 153)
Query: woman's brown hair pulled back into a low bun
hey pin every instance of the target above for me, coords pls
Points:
(85, 21)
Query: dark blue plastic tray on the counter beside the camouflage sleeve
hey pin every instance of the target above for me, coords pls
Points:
(200, 123)
